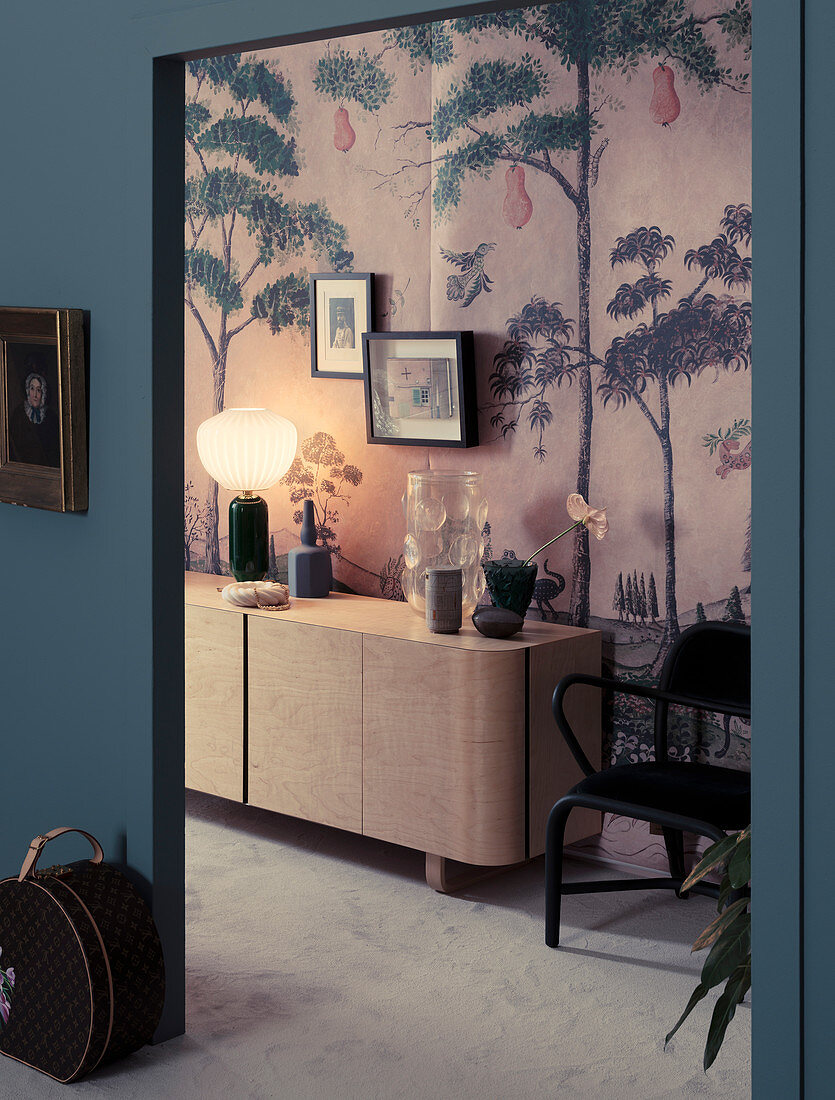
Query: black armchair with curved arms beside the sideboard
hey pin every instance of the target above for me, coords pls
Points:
(708, 668)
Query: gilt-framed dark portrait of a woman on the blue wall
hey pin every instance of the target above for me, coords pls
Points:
(43, 412)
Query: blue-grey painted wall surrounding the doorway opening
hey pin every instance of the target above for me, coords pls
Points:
(91, 656)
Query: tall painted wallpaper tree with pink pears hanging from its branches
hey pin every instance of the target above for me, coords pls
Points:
(473, 135)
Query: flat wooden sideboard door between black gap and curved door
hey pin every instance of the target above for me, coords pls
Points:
(305, 721)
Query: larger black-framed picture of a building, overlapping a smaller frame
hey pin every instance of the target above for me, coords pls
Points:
(421, 389)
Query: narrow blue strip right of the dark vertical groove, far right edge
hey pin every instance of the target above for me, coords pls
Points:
(818, 589)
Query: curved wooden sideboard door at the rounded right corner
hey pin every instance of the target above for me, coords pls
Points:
(444, 750)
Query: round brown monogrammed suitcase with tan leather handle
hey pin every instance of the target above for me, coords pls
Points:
(82, 976)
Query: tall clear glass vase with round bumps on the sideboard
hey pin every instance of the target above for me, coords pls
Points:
(446, 513)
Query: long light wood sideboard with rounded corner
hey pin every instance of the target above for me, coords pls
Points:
(347, 711)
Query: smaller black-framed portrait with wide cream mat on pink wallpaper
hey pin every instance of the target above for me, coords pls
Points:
(342, 311)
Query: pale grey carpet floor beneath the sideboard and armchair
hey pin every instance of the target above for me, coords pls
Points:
(322, 967)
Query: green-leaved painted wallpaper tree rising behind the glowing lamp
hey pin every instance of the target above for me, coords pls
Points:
(241, 150)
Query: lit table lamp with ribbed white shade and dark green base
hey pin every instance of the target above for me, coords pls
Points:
(248, 450)
